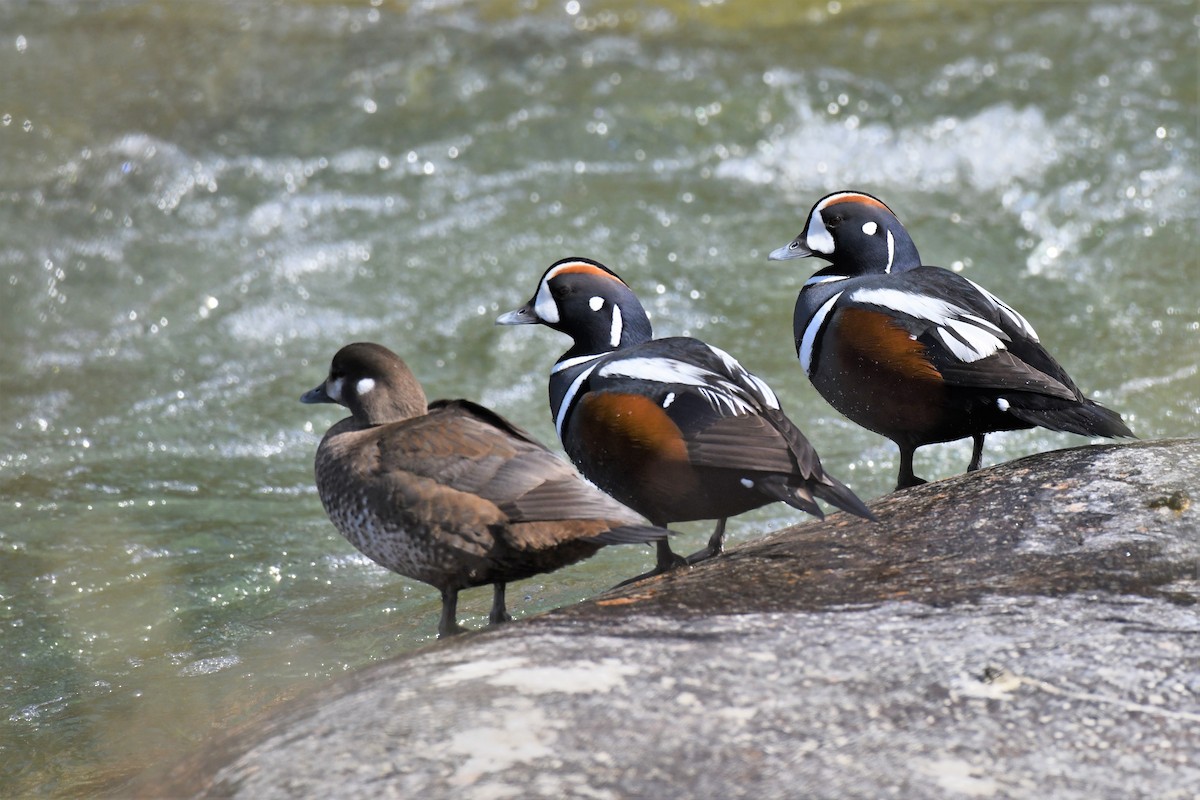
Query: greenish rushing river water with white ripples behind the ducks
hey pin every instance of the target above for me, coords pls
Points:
(200, 202)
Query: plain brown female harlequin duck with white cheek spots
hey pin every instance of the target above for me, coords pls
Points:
(452, 495)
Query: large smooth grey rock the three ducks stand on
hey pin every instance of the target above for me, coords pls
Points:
(1024, 631)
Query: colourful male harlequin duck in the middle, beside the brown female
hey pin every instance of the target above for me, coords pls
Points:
(675, 429)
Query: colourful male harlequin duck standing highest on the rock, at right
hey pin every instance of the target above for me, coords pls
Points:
(921, 354)
